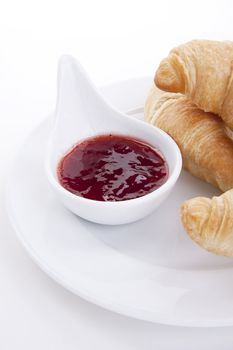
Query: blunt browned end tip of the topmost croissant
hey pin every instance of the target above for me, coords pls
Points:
(167, 78)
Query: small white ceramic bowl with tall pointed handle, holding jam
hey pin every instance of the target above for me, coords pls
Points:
(82, 112)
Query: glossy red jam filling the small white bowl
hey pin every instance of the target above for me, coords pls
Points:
(112, 168)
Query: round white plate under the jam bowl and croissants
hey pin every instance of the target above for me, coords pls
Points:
(149, 270)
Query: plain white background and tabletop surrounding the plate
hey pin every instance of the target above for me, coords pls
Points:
(114, 40)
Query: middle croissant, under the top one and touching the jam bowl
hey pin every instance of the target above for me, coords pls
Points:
(198, 135)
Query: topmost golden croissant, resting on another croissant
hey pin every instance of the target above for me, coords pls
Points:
(203, 71)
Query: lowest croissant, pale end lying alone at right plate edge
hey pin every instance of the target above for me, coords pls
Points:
(209, 222)
